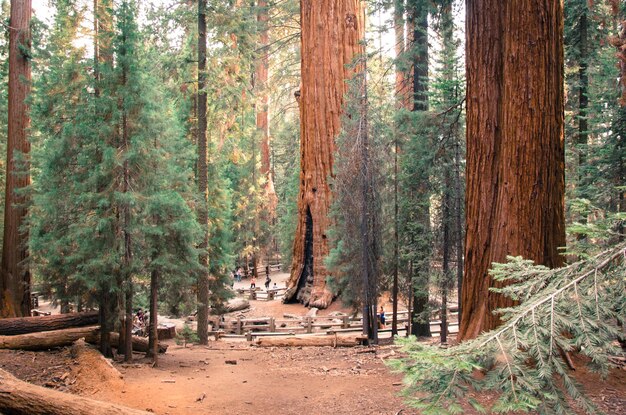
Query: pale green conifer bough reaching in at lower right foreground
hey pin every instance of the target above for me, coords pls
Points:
(579, 308)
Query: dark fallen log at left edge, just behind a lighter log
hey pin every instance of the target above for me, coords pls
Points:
(25, 325)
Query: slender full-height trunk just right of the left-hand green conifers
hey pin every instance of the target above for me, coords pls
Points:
(203, 185)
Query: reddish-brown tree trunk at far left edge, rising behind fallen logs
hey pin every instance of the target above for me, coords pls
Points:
(14, 272)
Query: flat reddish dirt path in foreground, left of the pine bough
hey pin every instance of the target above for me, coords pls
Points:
(314, 381)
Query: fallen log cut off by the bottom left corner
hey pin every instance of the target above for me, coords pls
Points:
(21, 398)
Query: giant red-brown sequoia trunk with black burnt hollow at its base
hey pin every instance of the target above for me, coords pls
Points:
(332, 32)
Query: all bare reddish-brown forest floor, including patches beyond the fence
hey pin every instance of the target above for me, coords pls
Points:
(235, 378)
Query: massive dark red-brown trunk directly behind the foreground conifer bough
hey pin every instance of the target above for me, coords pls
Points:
(515, 155)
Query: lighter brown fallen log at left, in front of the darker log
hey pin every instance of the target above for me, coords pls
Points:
(47, 339)
